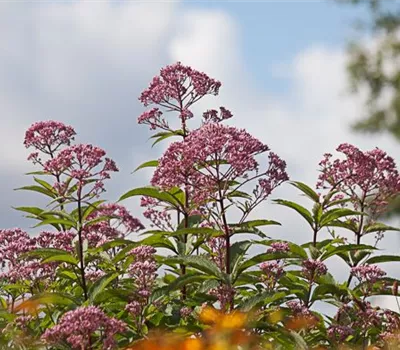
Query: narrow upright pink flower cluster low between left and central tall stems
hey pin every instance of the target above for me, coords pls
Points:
(143, 271)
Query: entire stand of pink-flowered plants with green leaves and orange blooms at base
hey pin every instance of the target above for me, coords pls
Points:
(103, 289)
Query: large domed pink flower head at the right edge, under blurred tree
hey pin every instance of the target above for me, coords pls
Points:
(369, 177)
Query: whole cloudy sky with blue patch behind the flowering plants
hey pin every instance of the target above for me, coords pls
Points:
(86, 62)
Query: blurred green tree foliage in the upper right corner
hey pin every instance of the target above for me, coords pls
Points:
(376, 68)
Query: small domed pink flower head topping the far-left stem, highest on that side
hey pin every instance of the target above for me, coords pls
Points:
(48, 136)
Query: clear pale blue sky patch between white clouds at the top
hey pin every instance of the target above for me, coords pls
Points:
(272, 32)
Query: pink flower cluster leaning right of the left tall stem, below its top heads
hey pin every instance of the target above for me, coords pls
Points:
(117, 223)
